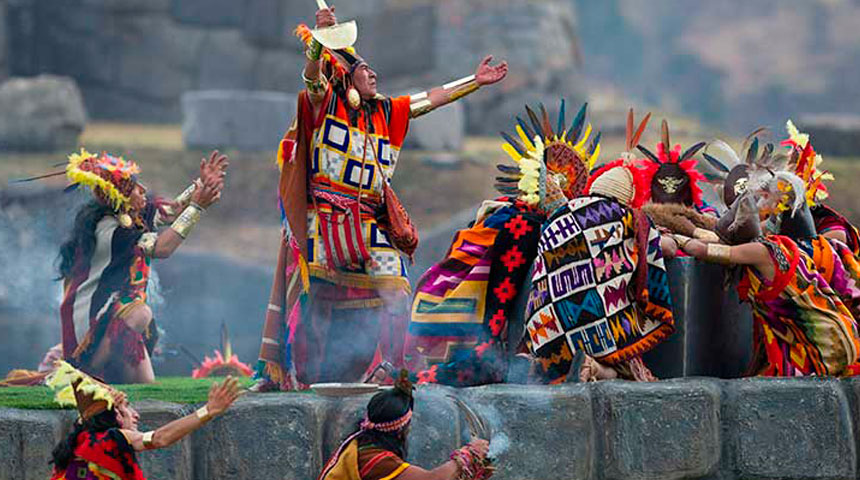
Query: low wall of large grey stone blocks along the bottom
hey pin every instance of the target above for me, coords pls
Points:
(685, 428)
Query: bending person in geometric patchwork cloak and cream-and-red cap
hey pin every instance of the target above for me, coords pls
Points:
(599, 287)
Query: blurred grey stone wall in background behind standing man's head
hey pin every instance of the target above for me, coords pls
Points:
(134, 58)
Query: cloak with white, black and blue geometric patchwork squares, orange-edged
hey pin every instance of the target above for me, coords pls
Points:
(582, 288)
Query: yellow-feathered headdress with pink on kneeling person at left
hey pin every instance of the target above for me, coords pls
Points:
(112, 179)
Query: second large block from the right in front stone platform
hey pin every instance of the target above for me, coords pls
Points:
(660, 430)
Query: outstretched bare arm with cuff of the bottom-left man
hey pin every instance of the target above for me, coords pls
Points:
(220, 398)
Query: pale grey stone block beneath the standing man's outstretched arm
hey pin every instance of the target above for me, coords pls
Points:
(440, 130)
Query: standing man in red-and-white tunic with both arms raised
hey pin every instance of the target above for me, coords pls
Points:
(347, 240)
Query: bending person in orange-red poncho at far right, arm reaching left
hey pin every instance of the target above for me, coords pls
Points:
(801, 324)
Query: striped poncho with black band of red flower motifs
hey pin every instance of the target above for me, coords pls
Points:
(463, 304)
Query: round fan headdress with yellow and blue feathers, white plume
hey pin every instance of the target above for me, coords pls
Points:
(547, 158)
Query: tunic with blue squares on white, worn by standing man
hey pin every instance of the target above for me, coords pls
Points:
(342, 167)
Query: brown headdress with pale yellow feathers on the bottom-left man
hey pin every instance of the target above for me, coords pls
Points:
(75, 388)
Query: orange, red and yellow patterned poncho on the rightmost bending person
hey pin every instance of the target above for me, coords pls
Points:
(801, 325)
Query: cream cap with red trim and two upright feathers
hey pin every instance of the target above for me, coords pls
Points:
(621, 178)
